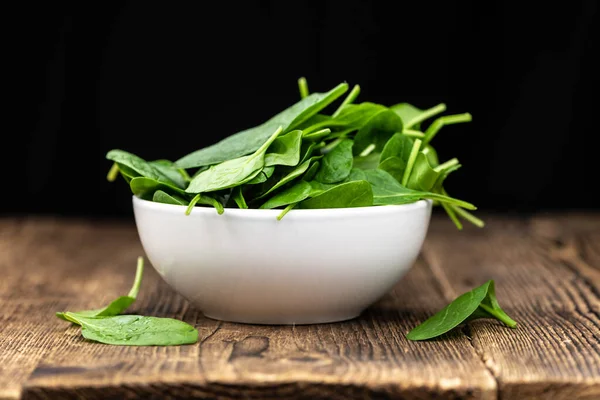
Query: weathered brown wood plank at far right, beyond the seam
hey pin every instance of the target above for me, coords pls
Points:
(555, 352)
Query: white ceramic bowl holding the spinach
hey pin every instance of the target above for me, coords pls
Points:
(313, 266)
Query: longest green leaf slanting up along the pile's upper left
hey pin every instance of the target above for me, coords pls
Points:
(249, 140)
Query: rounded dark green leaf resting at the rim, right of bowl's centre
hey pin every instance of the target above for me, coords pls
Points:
(344, 195)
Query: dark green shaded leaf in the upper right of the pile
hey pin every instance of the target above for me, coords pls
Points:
(377, 131)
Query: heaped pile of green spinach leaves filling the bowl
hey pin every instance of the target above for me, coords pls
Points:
(360, 155)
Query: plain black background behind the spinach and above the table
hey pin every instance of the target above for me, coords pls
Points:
(163, 79)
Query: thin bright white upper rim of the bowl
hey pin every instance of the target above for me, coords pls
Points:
(269, 213)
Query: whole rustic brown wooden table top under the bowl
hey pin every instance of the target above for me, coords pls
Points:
(547, 273)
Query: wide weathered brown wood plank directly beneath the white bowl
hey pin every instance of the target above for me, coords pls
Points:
(52, 265)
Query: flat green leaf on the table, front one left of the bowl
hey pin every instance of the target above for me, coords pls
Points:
(135, 330)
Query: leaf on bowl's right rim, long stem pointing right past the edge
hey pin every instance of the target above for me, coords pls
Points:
(388, 191)
